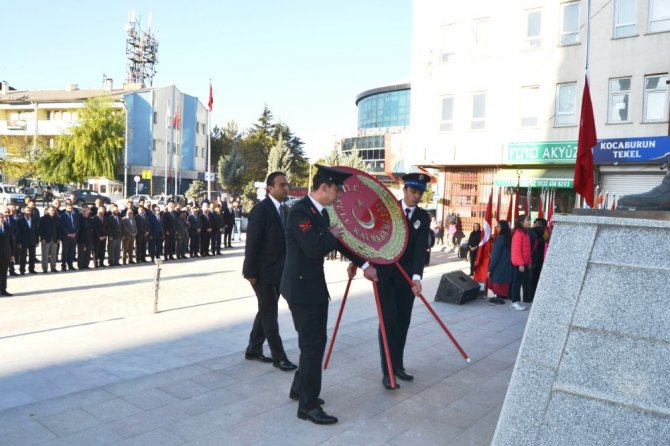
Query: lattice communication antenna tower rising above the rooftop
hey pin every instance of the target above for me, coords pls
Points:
(141, 51)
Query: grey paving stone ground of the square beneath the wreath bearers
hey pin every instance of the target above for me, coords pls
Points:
(85, 362)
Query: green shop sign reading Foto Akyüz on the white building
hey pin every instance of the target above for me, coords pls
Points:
(542, 152)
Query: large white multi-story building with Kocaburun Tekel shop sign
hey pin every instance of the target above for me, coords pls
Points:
(497, 89)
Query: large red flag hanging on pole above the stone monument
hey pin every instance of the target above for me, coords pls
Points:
(584, 184)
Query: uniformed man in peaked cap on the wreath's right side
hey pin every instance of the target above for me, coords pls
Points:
(395, 294)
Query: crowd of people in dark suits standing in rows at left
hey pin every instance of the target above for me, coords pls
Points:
(140, 233)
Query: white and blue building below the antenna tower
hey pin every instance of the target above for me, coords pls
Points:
(166, 130)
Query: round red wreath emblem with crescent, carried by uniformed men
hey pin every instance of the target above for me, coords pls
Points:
(375, 227)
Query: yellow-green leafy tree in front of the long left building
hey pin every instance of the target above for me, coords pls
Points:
(92, 148)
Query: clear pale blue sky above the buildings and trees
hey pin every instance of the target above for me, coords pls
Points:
(306, 59)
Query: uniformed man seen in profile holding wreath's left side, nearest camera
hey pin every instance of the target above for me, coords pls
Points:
(309, 238)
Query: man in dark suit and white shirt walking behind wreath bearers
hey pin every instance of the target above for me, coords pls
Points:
(264, 254)
